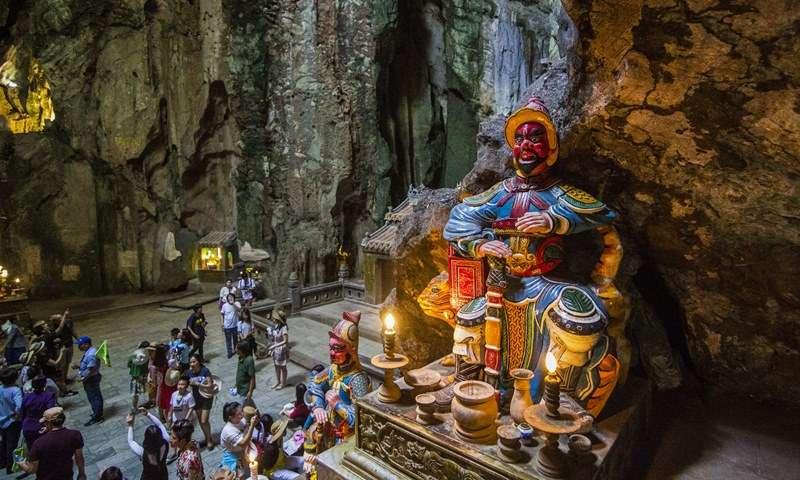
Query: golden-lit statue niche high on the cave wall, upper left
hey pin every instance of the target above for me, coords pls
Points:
(26, 103)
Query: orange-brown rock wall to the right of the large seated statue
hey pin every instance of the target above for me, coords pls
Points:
(691, 125)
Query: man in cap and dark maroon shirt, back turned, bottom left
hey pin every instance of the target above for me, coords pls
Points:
(53, 453)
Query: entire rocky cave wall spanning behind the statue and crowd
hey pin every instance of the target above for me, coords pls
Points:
(299, 122)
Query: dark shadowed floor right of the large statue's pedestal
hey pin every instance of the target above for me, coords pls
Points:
(697, 437)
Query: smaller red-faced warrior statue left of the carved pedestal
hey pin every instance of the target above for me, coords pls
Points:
(332, 392)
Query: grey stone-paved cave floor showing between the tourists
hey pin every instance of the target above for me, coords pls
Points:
(106, 443)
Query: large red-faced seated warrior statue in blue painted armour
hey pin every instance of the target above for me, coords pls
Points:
(518, 226)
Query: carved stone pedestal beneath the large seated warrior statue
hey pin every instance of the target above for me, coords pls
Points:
(390, 444)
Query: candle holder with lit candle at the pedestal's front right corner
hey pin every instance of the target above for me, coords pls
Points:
(551, 461)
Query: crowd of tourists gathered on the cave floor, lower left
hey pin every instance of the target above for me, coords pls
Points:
(172, 389)
